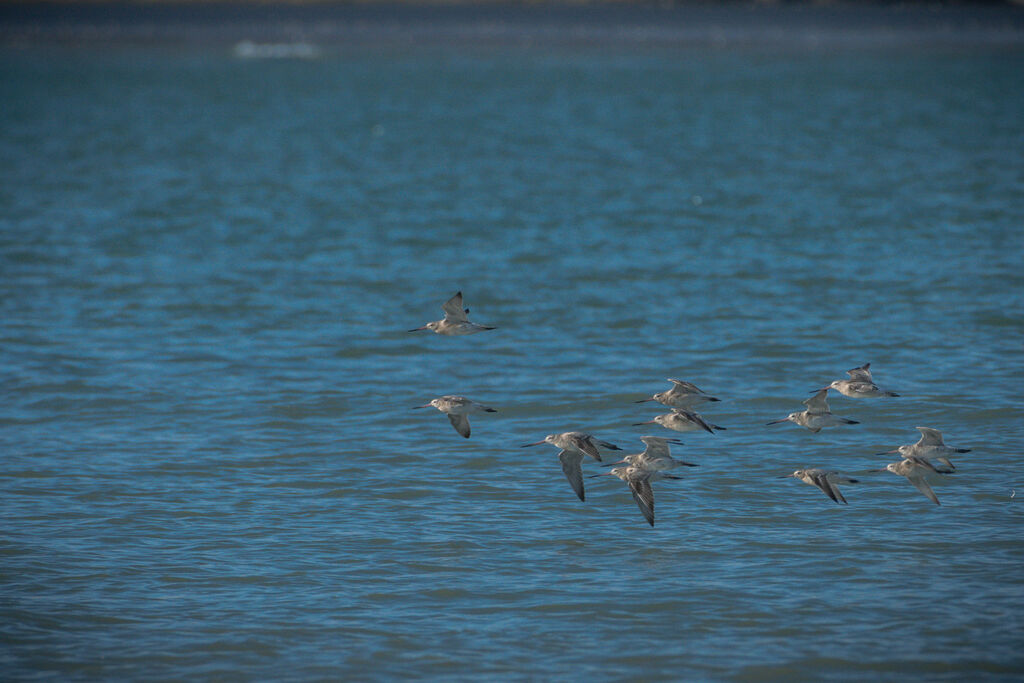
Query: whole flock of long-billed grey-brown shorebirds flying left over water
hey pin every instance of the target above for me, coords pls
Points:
(656, 462)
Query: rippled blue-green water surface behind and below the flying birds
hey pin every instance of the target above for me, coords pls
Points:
(208, 266)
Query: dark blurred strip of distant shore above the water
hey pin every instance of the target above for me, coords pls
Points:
(513, 24)
